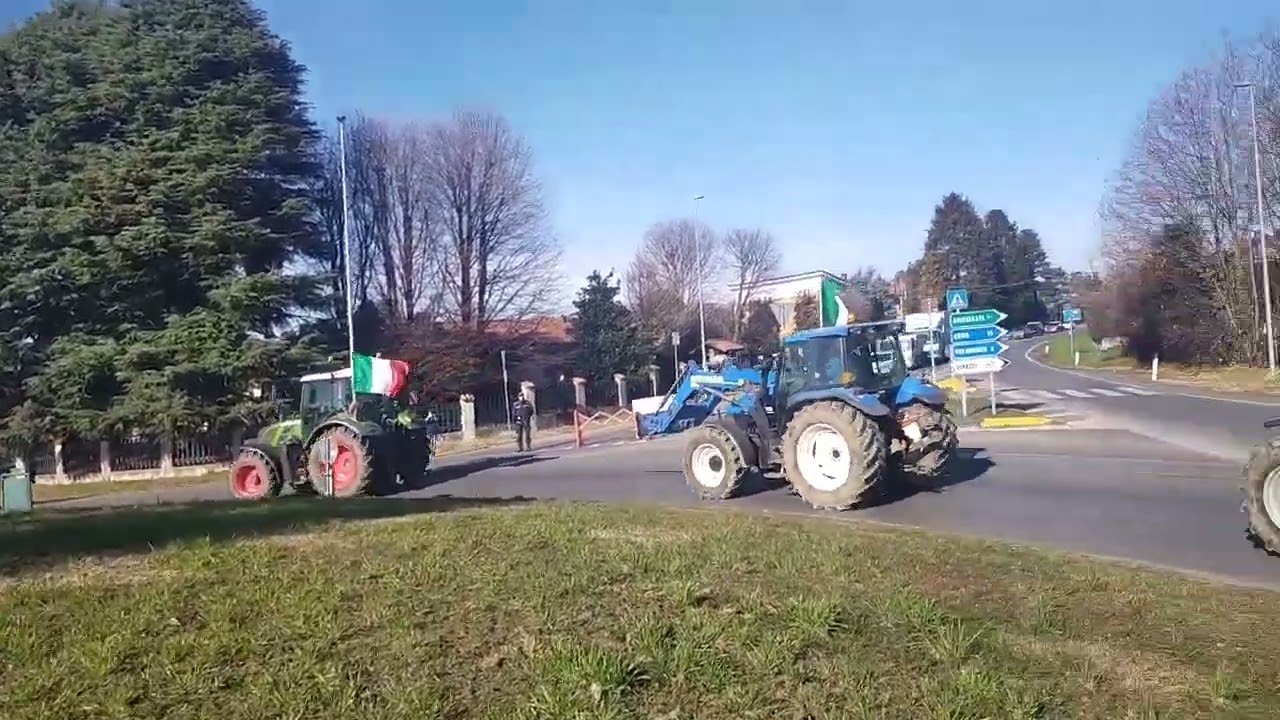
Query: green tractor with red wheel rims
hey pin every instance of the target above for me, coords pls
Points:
(337, 446)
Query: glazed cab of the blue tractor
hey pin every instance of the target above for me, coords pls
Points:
(866, 358)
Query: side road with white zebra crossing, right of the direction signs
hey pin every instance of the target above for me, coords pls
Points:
(1222, 425)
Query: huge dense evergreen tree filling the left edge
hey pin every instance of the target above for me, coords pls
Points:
(154, 165)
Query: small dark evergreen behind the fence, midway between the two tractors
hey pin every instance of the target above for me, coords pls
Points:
(609, 338)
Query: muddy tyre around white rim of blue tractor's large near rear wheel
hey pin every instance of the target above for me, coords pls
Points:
(865, 441)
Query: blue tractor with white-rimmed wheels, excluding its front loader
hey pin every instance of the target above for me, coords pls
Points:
(843, 420)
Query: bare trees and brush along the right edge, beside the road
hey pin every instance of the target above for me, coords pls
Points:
(1182, 259)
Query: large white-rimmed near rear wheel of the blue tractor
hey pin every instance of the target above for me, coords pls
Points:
(833, 455)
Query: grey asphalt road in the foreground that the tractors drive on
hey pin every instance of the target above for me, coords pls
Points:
(1103, 493)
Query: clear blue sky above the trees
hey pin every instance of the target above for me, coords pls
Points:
(836, 126)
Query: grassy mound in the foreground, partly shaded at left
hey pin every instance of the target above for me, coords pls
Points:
(505, 609)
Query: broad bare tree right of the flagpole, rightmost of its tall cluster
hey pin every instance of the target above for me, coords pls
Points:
(499, 258)
